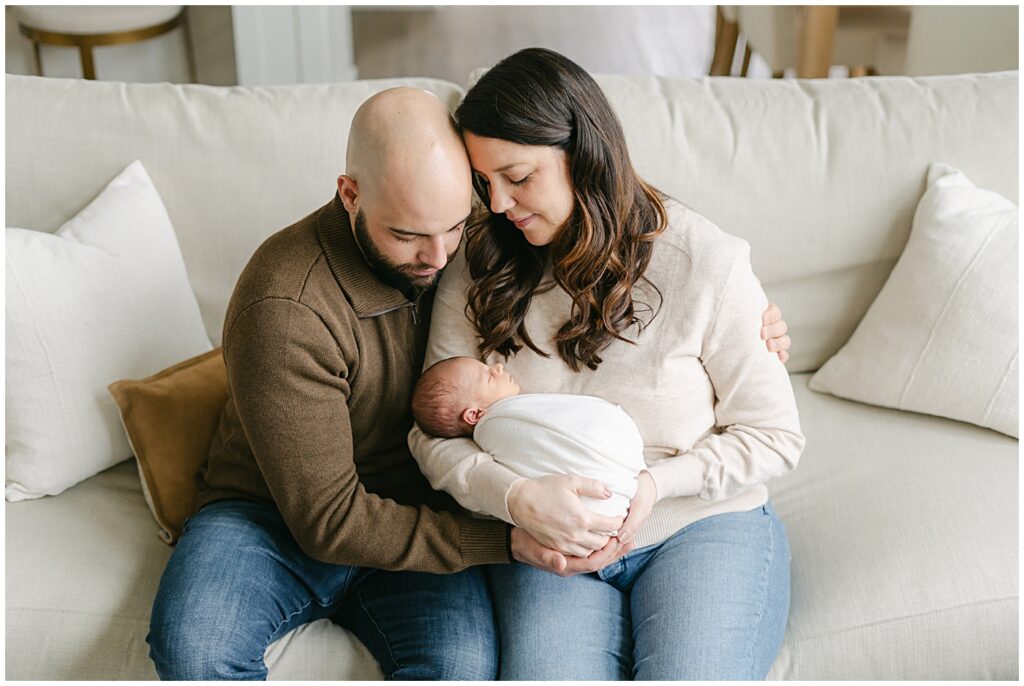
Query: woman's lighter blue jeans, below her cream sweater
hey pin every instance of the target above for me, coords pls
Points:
(709, 604)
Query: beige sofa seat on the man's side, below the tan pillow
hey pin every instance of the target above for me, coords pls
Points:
(81, 575)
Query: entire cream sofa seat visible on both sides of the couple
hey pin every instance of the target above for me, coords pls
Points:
(892, 579)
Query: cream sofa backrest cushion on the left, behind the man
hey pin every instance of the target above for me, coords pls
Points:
(233, 165)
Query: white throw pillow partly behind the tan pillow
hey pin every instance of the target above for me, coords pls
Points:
(106, 297)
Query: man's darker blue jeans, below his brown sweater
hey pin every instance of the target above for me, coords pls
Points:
(237, 582)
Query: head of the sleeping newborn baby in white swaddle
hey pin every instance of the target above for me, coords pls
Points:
(454, 395)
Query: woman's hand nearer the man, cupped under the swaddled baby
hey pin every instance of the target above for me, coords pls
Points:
(550, 510)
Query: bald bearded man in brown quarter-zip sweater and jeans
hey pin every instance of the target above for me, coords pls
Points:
(311, 505)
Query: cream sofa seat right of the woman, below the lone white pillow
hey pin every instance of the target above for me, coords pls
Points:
(904, 533)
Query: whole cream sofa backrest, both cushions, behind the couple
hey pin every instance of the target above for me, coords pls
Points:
(822, 178)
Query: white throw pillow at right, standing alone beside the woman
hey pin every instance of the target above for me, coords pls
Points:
(942, 336)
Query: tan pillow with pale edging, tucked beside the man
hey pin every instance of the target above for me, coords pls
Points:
(170, 419)
